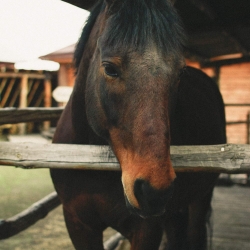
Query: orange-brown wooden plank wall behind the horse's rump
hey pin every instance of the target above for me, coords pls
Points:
(234, 83)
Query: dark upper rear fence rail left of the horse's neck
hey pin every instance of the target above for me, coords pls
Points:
(14, 115)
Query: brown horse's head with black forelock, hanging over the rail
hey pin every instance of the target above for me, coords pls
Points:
(131, 85)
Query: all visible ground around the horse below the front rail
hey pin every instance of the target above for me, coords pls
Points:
(20, 188)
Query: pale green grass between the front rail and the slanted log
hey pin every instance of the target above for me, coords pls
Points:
(19, 188)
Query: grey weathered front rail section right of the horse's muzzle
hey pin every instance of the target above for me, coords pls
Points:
(228, 158)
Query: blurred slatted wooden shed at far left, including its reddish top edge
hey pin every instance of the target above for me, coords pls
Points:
(21, 89)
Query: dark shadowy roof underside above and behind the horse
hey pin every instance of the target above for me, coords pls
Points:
(218, 30)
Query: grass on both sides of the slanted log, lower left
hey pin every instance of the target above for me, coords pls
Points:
(19, 189)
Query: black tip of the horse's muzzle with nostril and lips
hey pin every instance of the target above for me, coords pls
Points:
(151, 200)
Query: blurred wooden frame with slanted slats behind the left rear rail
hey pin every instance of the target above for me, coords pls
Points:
(24, 89)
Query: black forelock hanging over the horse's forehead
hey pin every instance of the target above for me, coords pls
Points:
(138, 23)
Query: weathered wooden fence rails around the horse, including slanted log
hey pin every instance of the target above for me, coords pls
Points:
(225, 158)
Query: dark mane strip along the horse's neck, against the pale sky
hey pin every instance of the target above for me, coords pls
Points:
(86, 32)
